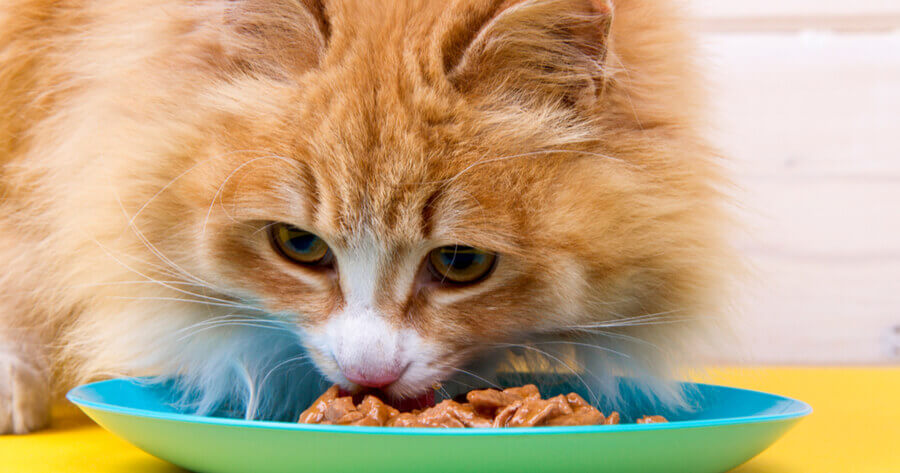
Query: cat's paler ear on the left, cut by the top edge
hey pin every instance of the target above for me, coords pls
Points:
(274, 36)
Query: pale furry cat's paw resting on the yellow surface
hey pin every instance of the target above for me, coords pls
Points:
(24, 395)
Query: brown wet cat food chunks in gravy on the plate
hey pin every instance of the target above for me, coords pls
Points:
(512, 407)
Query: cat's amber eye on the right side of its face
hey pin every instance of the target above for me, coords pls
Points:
(460, 264)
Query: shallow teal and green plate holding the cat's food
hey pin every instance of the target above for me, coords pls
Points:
(729, 427)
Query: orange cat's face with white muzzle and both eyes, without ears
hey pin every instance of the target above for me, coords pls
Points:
(406, 247)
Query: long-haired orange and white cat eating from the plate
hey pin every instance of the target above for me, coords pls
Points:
(237, 194)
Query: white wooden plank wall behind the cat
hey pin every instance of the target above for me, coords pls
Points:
(806, 100)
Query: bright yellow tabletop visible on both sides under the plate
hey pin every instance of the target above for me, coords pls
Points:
(855, 429)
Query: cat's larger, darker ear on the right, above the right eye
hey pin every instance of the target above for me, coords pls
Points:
(538, 51)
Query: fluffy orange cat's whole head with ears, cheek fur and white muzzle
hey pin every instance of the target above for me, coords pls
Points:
(421, 183)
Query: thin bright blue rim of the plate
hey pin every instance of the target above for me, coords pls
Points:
(73, 395)
